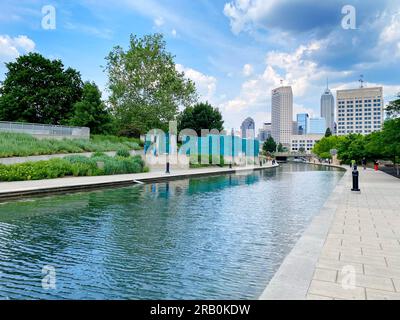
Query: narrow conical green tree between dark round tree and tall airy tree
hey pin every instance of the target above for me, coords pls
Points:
(91, 111)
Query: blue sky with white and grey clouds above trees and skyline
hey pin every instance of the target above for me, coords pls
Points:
(236, 51)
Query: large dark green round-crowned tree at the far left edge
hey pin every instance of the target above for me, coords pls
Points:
(39, 90)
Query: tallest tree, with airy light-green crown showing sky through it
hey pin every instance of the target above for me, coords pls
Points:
(146, 88)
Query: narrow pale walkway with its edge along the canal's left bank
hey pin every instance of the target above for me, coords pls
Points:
(28, 188)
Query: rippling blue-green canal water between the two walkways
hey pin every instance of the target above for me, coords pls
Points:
(219, 237)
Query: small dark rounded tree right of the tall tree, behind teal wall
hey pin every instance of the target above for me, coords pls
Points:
(200, 116)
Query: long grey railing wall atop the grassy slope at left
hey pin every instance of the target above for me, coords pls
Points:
(45, 130)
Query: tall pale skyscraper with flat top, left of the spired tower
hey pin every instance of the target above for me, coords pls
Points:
(282, 115)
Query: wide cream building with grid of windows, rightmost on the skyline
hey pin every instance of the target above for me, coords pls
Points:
(360, 110)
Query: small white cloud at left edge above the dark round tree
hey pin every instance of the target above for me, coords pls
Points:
(11, 48)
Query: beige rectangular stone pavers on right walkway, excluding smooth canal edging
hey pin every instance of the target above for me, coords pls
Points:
(360, 258)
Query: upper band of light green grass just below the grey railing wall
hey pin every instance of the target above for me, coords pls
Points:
(22, 145)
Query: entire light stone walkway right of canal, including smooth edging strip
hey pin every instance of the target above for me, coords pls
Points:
(351, 250)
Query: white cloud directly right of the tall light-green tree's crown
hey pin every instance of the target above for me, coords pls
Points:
(206, 85)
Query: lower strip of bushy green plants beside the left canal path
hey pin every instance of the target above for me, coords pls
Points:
(97, 165)
